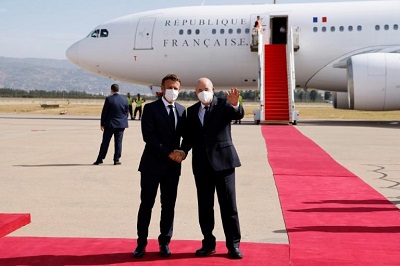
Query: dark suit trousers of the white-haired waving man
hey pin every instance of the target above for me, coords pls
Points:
(224, 183)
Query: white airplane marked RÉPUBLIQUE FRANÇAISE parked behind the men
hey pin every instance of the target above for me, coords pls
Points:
(349, 48)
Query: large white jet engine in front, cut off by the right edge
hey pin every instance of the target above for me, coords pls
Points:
(373, 82)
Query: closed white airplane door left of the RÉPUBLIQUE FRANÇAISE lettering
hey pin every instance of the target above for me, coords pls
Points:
(144, 34)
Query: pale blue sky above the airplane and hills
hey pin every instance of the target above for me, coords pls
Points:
(46, 28)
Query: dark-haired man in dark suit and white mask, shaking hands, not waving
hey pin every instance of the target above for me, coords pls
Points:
(162, 125)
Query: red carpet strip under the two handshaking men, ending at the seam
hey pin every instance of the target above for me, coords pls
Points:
(38, 251)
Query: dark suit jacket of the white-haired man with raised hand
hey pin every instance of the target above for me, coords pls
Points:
(213, 141)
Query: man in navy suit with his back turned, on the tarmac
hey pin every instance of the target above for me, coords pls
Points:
(114, 120)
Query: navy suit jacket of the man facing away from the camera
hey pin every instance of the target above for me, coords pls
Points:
(115, 112)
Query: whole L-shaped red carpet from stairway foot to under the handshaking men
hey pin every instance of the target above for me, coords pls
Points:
(332, 218)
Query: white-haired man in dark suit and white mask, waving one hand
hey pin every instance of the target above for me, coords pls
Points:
(208, 134)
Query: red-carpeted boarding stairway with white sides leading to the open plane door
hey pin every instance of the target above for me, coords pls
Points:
(276, 82)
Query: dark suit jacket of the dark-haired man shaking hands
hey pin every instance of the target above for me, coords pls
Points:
(160, 138)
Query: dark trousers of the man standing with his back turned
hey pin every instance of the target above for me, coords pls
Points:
(108, 132)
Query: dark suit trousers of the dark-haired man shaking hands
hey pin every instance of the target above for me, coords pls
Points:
(168, 192)
